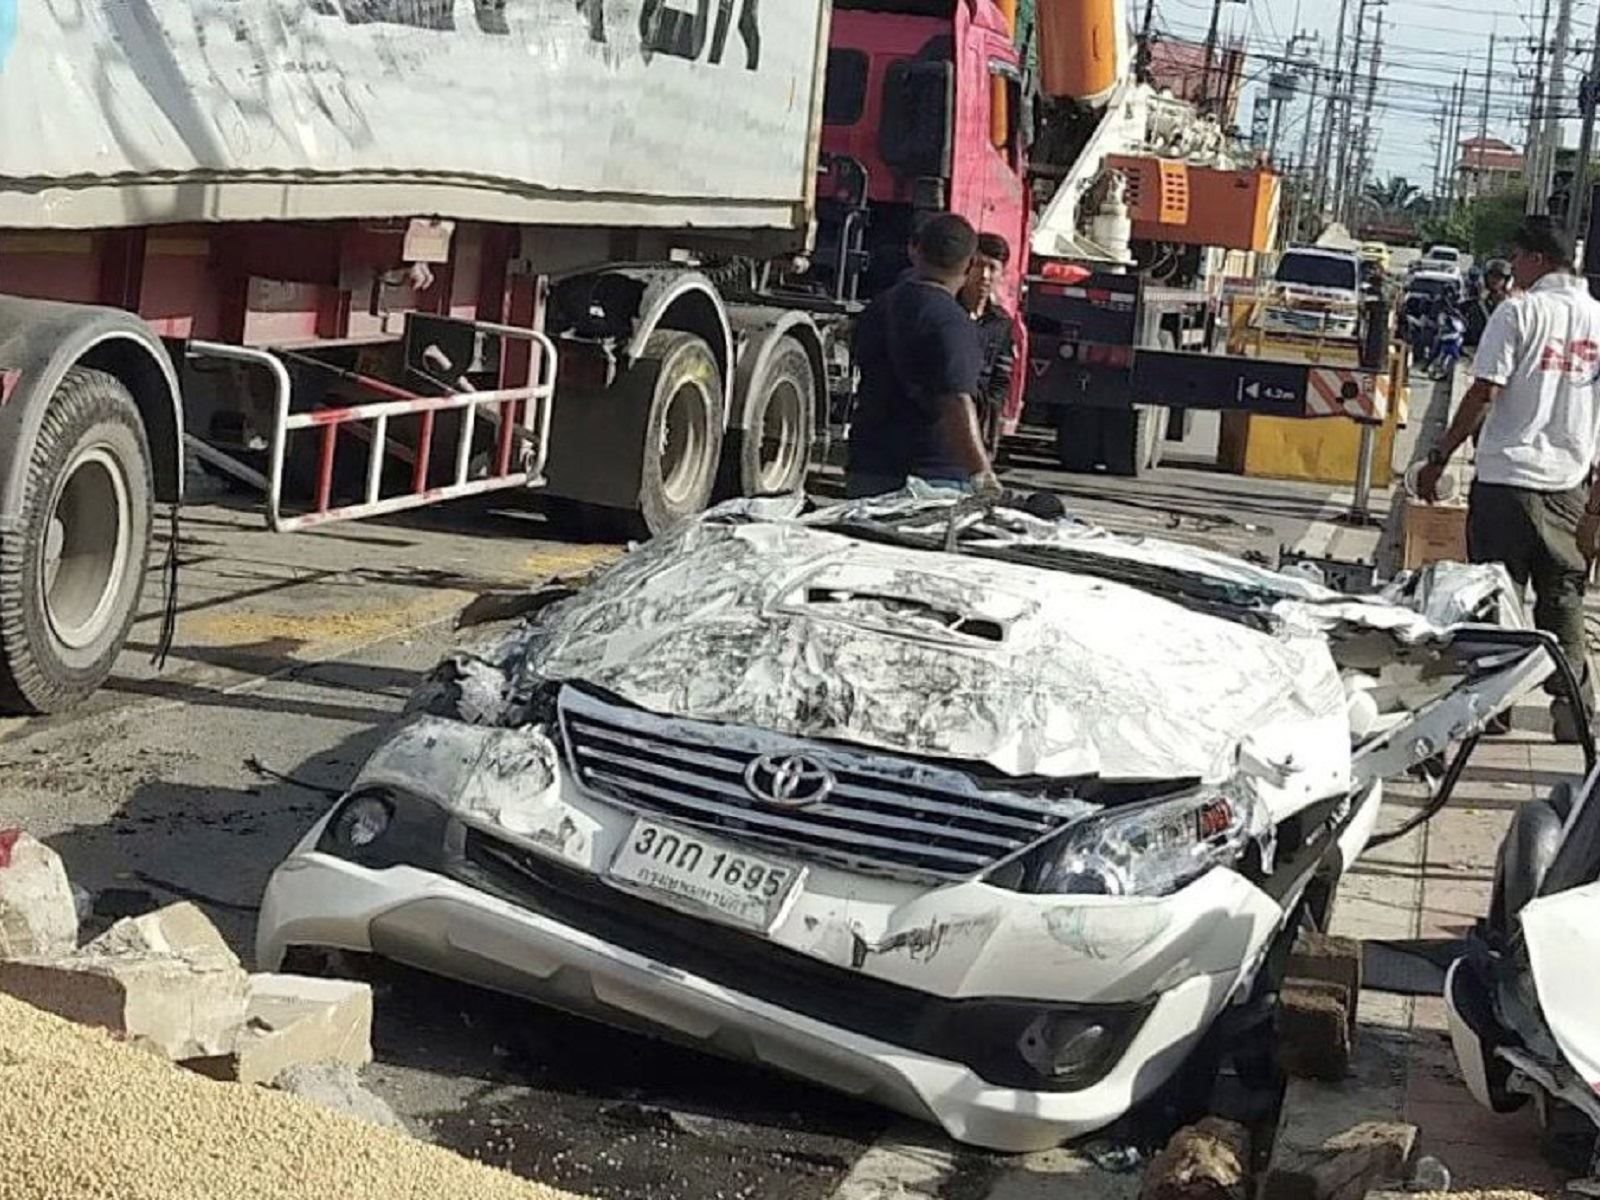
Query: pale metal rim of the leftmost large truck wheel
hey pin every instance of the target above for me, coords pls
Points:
(86, 553)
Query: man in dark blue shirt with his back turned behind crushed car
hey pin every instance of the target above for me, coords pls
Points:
(921, 361)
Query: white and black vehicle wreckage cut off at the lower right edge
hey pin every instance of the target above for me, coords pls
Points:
(1522, 1002)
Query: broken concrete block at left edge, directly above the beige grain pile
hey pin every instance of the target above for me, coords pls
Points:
(175, 1006)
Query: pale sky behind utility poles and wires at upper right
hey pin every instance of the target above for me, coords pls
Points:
(1426, 47)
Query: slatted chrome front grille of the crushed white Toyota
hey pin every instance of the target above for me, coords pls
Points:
(884, 814)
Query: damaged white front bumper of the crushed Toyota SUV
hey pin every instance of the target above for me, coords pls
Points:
(1015, 1022)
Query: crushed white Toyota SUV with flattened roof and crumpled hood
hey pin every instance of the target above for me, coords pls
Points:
(990, 818)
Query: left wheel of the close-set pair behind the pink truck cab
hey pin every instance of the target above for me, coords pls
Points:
(678, 396)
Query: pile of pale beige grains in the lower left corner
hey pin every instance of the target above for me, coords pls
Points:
(84, 1118)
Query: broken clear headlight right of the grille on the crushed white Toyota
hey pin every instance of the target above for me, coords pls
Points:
(1151, 850)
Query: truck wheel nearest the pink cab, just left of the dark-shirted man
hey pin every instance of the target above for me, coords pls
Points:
(774, 450)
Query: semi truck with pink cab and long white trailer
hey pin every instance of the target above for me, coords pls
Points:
(369, 255)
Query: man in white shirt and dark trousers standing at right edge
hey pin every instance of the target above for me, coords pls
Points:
(1535, 410)
